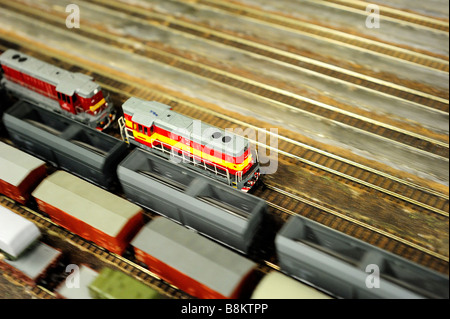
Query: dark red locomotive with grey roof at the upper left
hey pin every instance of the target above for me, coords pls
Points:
(74, 95)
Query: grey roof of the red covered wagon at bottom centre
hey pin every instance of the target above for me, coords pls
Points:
(194, 255)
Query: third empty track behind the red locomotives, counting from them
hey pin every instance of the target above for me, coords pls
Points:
(283, 56)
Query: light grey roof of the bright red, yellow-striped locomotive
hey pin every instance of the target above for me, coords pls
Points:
(148, 113)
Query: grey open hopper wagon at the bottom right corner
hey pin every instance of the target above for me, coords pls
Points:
(348, 267)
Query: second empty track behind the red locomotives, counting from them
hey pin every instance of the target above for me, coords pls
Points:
(259, 90)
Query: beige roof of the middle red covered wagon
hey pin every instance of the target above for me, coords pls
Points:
(97, 207)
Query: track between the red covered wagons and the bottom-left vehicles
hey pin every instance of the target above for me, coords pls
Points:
(122, 263)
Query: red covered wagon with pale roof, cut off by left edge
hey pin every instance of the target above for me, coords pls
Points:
(19, 173)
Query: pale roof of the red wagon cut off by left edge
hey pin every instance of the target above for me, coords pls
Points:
(16, 165)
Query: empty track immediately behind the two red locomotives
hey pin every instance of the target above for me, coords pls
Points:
(426, 200)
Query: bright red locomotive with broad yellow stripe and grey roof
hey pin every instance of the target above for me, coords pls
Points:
(219, 154)
